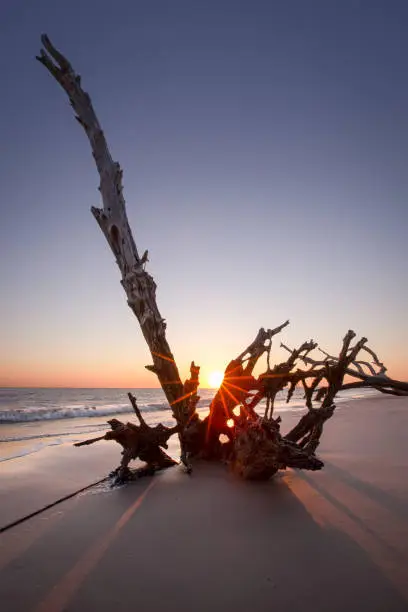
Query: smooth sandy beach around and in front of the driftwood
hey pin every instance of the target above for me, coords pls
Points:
(330, 540)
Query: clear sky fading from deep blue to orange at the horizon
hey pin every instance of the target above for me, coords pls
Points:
(265, 154)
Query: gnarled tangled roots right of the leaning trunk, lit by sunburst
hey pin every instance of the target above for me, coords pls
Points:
(256, 449)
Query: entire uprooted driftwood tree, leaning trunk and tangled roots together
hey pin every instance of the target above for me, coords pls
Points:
(233, 431)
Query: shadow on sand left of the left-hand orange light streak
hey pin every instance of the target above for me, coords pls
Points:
(85, 520)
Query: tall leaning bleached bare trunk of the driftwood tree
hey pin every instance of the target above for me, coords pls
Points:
(139, 286)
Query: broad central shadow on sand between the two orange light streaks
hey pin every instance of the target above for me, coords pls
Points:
(214, 543)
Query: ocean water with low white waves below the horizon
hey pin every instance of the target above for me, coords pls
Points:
(34, 419)
